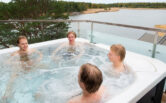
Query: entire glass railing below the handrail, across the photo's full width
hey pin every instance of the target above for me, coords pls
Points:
(136, 40)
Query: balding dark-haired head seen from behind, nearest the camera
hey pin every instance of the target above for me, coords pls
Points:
(90, 78)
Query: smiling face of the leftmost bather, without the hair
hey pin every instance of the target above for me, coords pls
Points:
(23, 44)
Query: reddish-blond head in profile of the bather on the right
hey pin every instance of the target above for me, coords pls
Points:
(117, 53)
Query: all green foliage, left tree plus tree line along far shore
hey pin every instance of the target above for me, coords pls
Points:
(44, 10)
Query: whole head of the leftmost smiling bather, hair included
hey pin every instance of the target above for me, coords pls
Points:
(22, 43)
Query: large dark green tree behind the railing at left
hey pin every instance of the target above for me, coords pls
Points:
(35, 32)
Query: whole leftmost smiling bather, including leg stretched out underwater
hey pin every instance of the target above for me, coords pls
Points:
(22, 61)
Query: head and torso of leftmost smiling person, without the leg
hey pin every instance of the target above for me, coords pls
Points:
(27, 57)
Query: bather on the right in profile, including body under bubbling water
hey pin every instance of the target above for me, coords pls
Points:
(119, 74)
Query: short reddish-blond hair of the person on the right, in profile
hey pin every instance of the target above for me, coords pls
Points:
(119, 50)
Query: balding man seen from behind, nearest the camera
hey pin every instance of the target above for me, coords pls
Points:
(90, 79)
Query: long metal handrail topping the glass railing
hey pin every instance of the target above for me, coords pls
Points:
(91, 21)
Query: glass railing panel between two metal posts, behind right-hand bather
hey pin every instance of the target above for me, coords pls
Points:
(134, 45)
